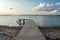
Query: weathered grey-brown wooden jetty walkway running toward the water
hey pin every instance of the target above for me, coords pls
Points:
(30, 32)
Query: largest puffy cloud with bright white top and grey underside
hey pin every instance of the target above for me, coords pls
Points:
(44, 7)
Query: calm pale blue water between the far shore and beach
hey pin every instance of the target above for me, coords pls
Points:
(40, 20)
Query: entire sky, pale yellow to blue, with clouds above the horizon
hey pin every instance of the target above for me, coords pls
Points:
(29, 7)
